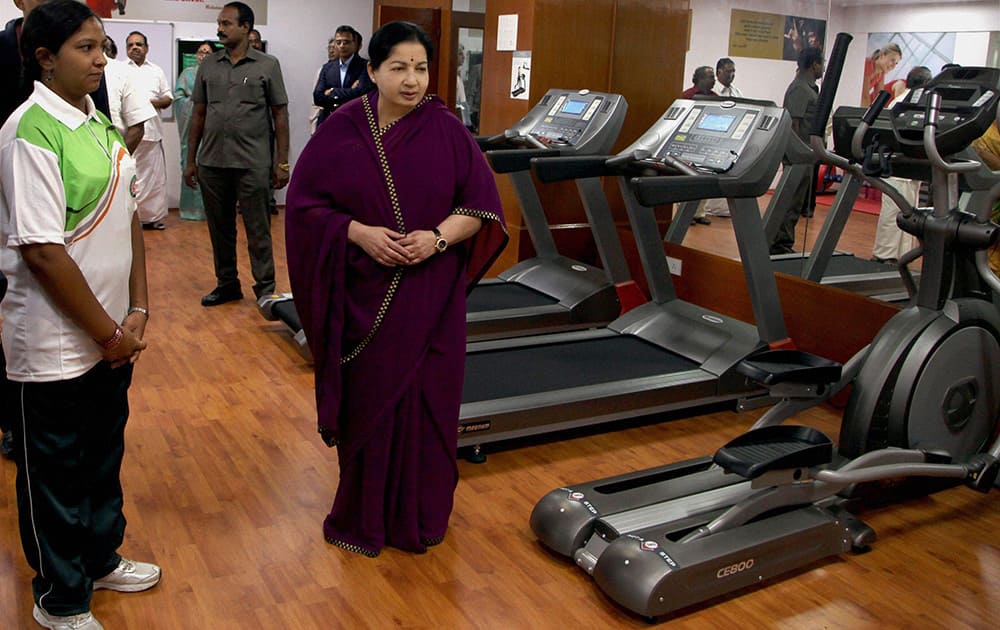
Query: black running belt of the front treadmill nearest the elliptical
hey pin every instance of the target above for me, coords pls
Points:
(521, 371)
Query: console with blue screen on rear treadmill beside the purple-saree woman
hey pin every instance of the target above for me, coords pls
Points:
(575, 121)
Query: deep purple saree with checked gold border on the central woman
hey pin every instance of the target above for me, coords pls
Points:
(389, 343)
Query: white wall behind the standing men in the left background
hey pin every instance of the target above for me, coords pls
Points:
(296, 33)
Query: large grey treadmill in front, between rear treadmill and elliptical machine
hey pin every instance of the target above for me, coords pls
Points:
(666, 354)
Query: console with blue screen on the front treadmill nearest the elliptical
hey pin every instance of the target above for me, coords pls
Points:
(709, 135)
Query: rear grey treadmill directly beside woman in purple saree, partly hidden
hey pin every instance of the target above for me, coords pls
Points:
(550, 292)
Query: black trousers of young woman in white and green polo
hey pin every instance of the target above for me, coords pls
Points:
(70, 439)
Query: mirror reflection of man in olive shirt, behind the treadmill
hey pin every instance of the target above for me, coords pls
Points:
(800, 102)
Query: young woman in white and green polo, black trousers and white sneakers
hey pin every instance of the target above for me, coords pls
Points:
(74, 316)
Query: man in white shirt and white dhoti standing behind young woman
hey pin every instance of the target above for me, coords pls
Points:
(151, 170)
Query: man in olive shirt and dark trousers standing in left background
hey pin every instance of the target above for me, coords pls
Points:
(237, 93)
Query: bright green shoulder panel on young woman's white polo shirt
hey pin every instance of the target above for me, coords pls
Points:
(85, 164)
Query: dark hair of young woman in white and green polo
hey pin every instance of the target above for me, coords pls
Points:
(48, 26)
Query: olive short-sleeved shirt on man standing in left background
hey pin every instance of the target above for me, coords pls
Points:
(238, 102)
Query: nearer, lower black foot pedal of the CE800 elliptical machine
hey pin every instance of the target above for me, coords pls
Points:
(774, 448)
